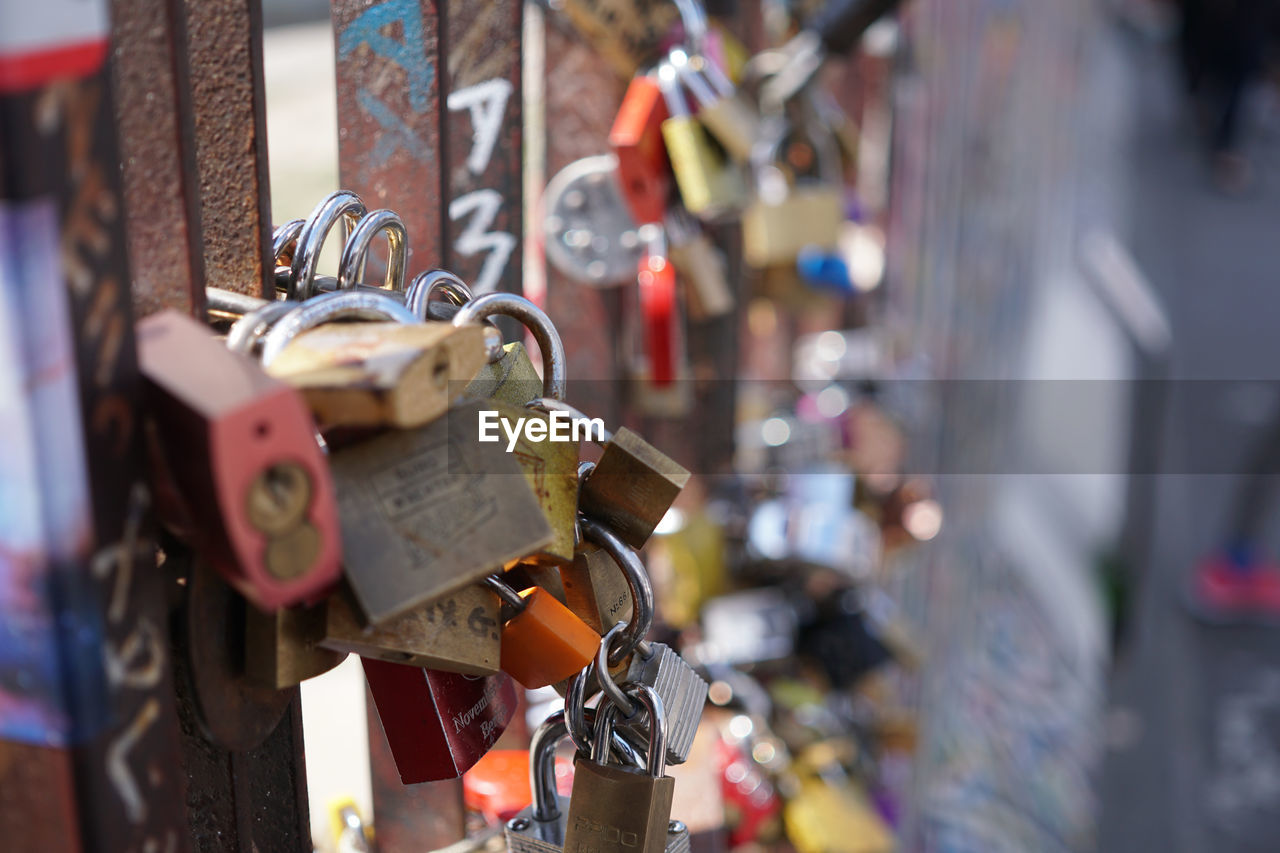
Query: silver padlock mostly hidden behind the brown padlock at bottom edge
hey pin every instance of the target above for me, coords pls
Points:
(541, 827)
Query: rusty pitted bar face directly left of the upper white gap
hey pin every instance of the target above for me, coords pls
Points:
(228, 111)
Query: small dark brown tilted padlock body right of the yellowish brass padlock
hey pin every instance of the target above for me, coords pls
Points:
(633, 487)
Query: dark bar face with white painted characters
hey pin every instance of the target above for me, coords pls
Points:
(481, 143)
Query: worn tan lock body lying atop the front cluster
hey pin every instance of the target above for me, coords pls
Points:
(381, 375)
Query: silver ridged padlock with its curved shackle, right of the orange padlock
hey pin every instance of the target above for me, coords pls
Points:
(682, 690)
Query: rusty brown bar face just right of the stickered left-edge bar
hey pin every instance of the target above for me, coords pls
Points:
(161, 204)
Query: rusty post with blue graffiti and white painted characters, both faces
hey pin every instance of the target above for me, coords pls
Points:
(429, 116)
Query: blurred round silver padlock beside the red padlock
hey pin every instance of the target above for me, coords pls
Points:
(589, 232)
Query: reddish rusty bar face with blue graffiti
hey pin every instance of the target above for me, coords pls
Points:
(390, 118)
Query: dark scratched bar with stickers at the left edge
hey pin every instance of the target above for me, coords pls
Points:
(88, 703)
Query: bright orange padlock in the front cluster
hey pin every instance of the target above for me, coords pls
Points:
(545, 642)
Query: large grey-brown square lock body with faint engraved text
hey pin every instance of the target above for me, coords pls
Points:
(432, 510)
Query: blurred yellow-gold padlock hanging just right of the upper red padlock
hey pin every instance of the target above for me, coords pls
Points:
(710, 186)
